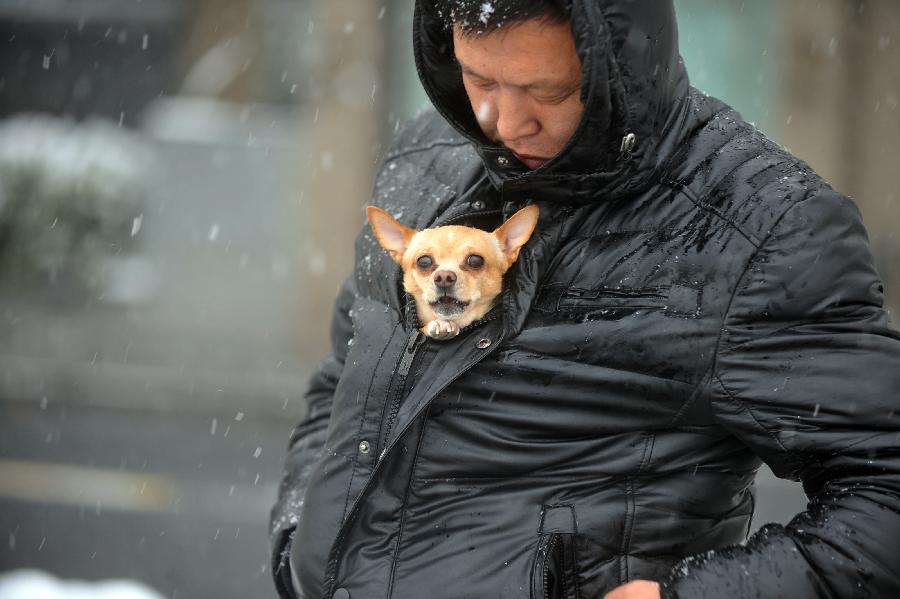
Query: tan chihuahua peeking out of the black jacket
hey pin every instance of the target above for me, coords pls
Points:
(454, 273)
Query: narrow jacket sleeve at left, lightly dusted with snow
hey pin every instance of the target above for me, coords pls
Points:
(308, 439)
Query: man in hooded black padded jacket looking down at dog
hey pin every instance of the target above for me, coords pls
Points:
(695, 301)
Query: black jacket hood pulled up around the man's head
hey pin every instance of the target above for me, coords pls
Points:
(634, 91)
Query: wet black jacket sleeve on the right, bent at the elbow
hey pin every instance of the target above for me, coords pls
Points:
(807, 375)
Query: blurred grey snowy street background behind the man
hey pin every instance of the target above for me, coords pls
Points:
(180, 183)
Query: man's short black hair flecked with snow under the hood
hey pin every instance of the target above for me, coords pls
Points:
(476, 17)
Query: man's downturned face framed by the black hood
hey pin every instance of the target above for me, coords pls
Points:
(524, 83)
